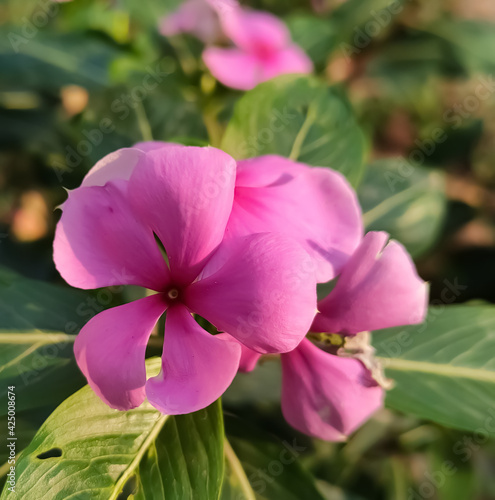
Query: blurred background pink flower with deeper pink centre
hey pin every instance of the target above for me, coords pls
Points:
(263, 50)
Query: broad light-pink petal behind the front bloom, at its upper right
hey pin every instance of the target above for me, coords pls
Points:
(314, 205)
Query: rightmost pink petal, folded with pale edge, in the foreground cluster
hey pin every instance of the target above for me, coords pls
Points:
(378, 288)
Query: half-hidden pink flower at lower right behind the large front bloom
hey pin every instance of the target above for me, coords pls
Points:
(328, 396)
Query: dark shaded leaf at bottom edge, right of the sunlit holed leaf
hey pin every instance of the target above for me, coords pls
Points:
(263, 468)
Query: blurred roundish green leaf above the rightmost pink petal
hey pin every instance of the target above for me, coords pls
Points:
(408, 201)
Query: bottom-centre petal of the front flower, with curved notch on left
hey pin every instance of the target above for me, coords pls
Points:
(197, 367)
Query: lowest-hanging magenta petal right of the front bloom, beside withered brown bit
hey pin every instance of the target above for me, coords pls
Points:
(326, 396)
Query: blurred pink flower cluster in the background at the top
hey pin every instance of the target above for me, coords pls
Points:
(262, 44)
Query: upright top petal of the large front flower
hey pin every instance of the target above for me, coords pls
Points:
(185, 195)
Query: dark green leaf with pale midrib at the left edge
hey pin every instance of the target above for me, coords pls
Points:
(37, 326)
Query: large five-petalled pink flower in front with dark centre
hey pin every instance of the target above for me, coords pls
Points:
(254, 288)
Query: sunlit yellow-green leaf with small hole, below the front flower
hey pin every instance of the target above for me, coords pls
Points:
(86, 450)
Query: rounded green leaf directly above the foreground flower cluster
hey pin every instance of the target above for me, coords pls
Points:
(299, 118)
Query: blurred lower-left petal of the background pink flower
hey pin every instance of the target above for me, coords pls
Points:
(233, 67)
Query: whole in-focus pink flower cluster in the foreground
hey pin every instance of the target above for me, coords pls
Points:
(241, 245)
